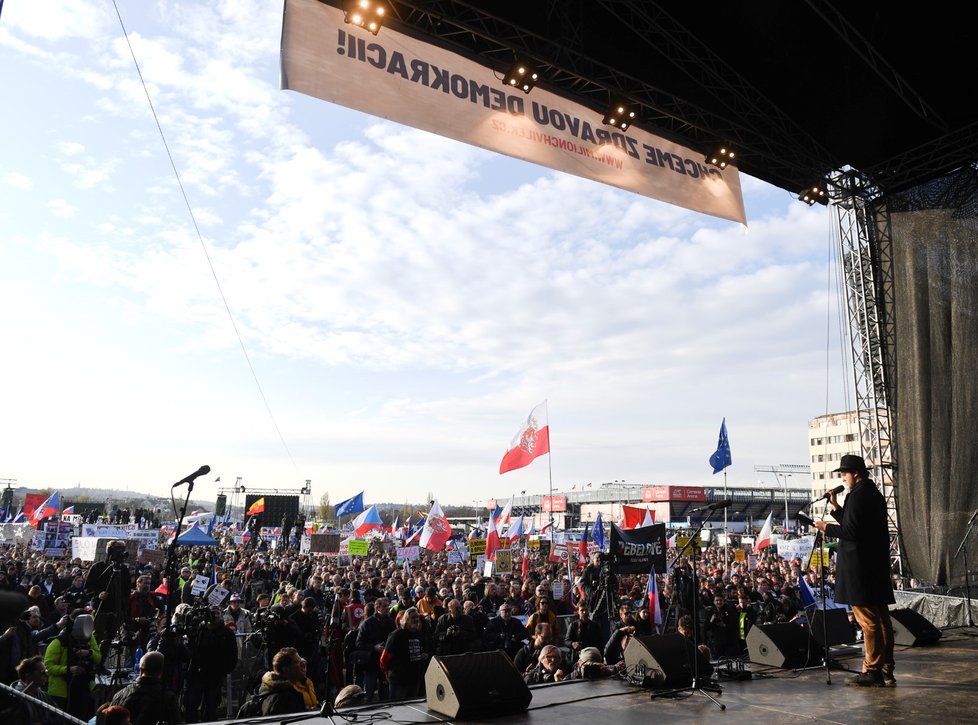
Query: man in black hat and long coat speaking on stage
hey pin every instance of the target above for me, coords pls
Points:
(863, 577)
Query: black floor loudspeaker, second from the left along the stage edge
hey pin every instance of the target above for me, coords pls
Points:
(667, 660)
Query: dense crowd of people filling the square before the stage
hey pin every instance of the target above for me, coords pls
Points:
(316, 627)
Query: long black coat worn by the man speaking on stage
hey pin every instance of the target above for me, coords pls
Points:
(863, 564)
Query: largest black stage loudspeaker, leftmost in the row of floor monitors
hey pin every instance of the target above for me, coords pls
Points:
(475, 684)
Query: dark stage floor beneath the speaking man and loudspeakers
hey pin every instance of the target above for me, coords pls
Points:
(935, 684)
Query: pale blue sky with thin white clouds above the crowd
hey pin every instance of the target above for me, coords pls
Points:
(396, 306)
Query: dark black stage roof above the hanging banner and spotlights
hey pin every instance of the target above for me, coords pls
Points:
(800, 89)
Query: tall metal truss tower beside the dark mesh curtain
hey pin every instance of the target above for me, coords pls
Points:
(866, 247)
